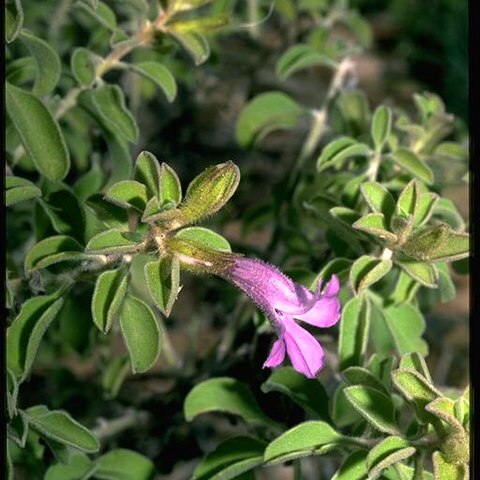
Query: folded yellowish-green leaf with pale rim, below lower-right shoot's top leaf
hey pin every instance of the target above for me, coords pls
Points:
(417, 389)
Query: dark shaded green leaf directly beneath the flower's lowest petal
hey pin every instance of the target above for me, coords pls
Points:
(309, 394)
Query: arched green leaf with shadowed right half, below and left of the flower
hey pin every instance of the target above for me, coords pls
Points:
(224, 394)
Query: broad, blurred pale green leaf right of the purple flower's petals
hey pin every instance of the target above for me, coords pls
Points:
(406, 325)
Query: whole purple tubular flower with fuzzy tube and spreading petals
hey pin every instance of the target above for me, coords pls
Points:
(283, 301)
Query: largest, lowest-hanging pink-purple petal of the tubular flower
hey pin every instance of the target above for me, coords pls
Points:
(305, 353)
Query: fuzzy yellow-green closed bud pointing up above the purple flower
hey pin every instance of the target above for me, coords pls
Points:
(209, 192)
